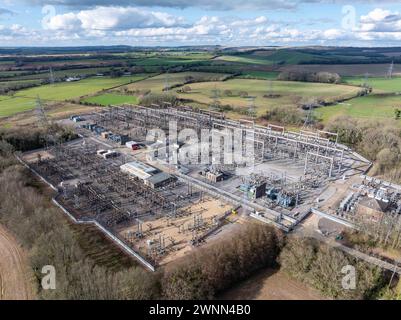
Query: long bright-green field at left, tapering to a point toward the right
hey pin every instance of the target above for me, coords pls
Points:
(70, 90)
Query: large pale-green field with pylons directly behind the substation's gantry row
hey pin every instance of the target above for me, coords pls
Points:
(290, 93)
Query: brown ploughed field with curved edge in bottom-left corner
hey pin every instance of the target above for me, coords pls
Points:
(15, 280)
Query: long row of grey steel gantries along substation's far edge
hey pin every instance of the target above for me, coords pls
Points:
(270, 142)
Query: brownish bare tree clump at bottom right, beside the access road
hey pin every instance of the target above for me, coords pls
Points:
(321, 267)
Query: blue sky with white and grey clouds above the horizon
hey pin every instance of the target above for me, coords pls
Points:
(200, 22)
